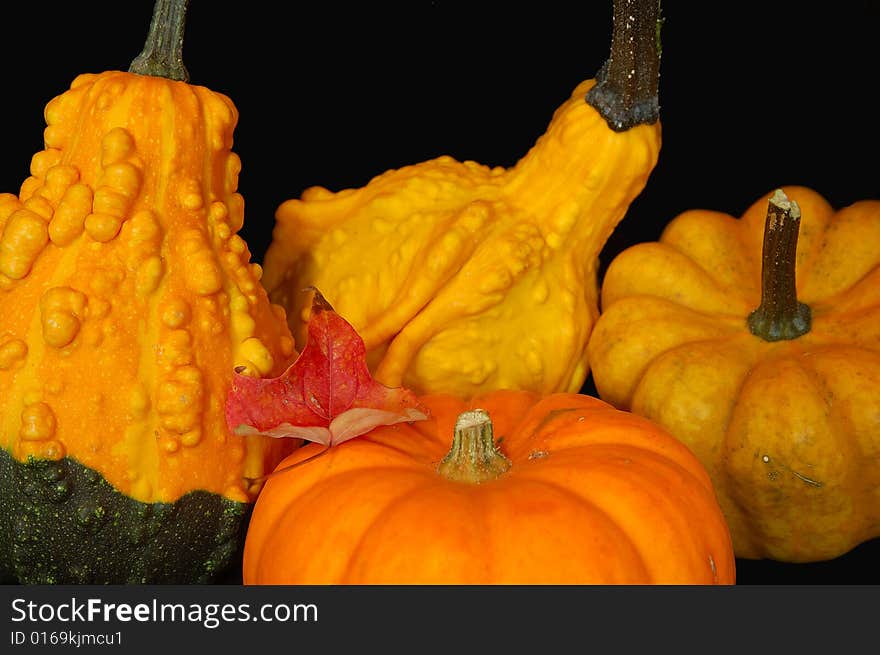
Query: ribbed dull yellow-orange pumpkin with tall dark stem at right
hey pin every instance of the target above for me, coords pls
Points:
(756, 342)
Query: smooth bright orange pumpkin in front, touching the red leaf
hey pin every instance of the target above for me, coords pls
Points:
(511, 487)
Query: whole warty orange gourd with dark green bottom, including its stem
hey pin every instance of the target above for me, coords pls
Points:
(127, 300)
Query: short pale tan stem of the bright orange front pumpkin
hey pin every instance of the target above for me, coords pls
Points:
(474, 456)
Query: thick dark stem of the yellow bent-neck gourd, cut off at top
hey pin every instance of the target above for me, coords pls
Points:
(627, 86)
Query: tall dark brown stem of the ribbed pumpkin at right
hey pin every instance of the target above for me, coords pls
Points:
(780, 315)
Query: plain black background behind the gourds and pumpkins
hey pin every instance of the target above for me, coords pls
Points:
(753, 96)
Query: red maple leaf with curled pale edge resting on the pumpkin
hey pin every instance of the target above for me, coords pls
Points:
(327, 395)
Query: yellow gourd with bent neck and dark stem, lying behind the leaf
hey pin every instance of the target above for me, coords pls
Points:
(463, 278)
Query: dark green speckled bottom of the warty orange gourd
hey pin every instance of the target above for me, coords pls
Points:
(62, 523)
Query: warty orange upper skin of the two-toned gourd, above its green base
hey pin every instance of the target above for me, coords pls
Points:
(127, 295)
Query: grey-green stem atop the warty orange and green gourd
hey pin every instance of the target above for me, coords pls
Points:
(162, 55)
